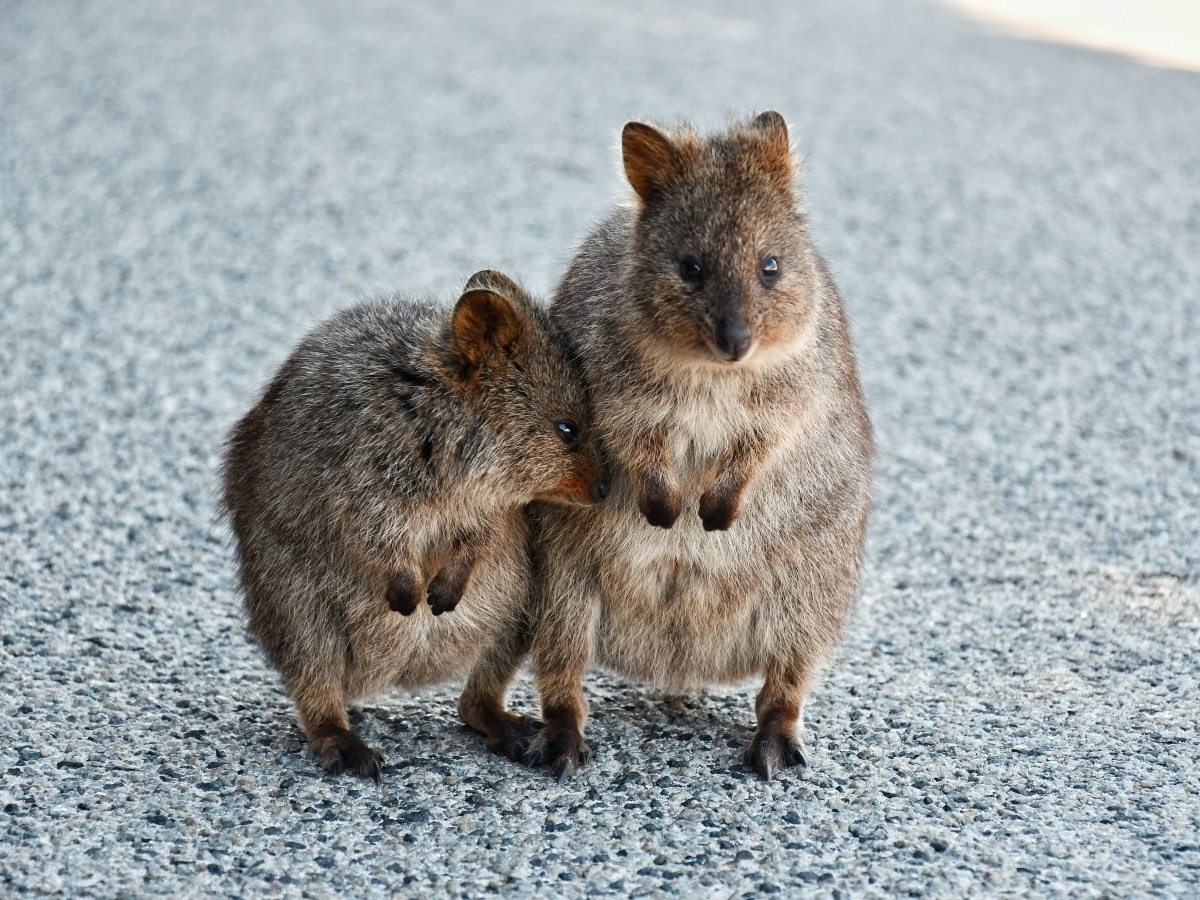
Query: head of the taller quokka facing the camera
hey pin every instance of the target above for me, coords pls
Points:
(723, 271)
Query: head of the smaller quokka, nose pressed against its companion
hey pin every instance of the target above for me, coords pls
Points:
(518, 369)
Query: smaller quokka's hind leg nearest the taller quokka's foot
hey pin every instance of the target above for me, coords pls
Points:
(483, 703)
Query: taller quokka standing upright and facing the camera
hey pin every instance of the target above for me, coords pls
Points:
(727, 398)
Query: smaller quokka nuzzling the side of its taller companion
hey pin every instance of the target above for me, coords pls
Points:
(387, 466)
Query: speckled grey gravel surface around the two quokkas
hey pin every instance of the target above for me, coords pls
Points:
(187, 189)
